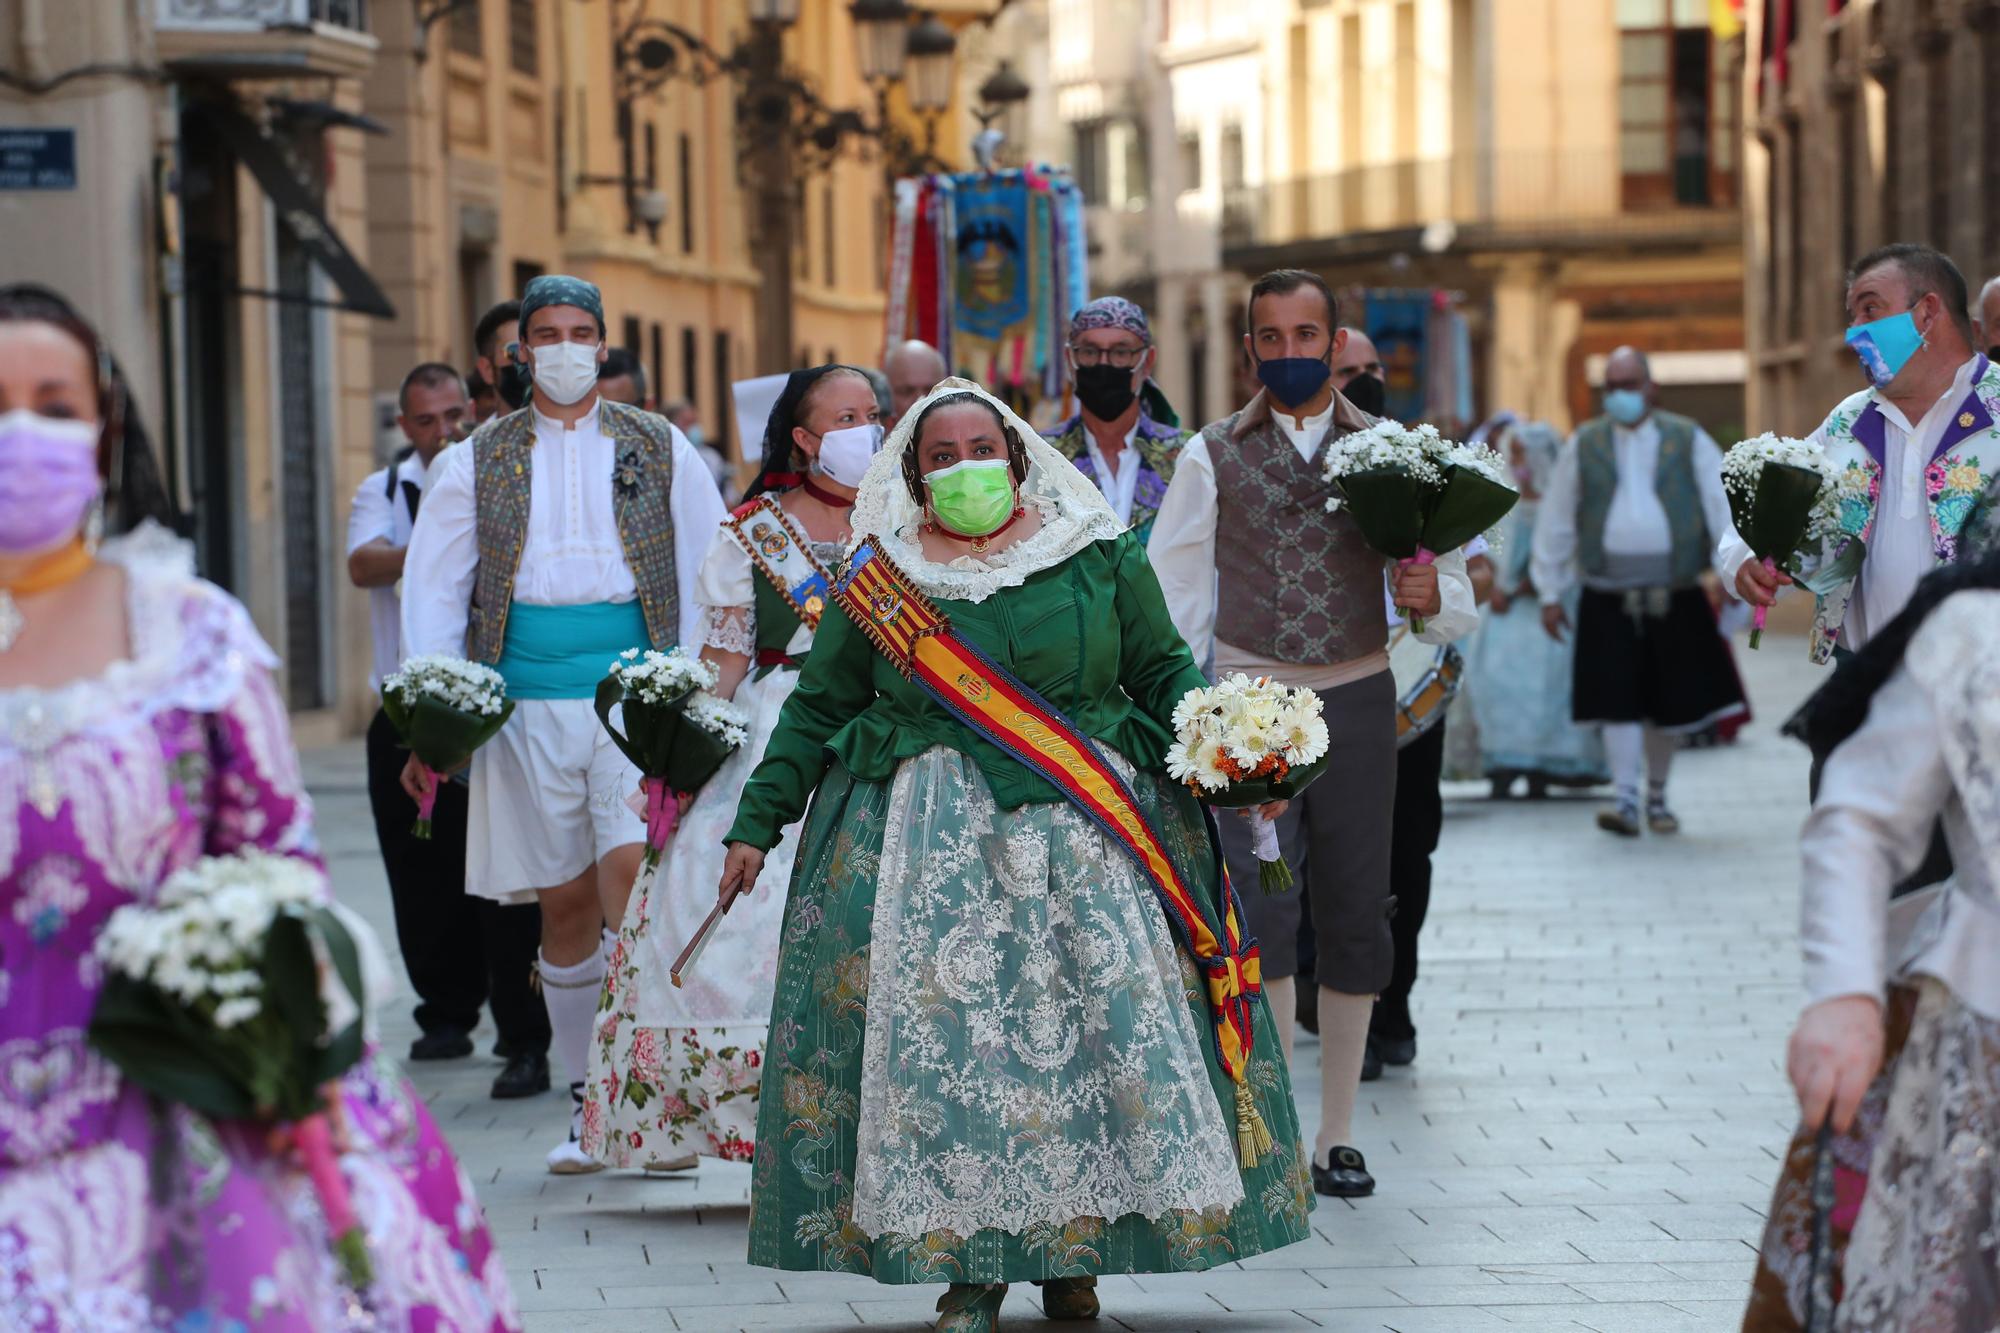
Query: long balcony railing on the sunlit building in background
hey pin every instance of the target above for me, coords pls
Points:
(1587, 193)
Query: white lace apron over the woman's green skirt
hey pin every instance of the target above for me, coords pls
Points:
(1029, 1054)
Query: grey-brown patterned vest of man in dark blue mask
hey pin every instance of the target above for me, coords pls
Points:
(1297, 583)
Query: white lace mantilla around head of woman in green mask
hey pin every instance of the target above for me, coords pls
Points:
(1071, 507)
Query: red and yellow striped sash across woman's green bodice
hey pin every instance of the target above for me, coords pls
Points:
(919, 641)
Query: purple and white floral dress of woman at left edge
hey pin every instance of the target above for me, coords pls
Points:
(119, 1212)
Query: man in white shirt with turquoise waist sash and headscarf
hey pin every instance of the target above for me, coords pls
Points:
(559, 537)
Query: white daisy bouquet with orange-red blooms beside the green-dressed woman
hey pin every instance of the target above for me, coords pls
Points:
(1245, 742)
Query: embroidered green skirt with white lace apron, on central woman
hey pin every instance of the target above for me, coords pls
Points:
(991, 1062)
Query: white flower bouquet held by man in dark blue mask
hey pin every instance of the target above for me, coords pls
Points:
(1415, 493)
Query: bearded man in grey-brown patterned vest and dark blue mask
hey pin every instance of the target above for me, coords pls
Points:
(1261, 577)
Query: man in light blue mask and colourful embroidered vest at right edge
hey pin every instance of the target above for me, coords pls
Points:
(1927, 435)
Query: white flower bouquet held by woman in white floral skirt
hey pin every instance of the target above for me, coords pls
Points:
(677, 734)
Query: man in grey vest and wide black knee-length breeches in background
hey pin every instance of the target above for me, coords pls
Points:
(1635, 507)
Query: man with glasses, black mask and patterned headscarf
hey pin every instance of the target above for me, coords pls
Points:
(1125, 437)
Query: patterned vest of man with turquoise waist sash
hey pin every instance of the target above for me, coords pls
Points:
(643, 479)
